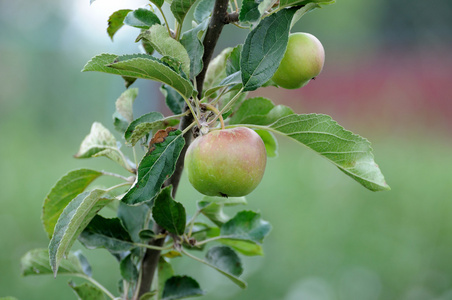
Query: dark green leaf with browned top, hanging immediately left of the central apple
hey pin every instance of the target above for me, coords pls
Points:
(156, 166)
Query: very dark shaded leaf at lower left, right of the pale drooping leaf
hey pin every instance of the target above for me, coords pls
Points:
(106, 233)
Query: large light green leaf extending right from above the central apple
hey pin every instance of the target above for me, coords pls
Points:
(351, 153)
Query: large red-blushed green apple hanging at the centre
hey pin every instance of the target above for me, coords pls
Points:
(227, 163)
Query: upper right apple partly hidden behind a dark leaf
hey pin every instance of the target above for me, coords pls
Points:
(302, 61)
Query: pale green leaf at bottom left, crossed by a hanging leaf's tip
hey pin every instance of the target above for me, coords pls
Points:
(36, 262)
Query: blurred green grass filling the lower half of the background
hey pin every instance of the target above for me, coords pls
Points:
(331, 238)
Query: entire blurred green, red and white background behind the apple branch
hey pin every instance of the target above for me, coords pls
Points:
(387, 77)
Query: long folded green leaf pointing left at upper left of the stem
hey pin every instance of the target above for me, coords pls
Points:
(140, 66)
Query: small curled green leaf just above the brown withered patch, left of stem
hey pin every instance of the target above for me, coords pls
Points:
(144, 124)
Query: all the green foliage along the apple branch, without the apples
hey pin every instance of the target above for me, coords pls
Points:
(149, 221)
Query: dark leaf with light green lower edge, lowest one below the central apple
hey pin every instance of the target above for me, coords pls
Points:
(227, 262)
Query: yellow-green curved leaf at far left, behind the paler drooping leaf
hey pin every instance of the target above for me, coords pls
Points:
(66, 189)
